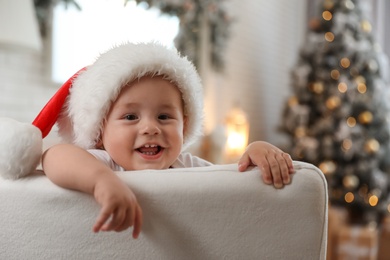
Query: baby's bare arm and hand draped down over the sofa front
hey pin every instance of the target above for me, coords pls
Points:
(74, 168)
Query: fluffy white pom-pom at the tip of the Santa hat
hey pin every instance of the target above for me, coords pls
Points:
(20, 148)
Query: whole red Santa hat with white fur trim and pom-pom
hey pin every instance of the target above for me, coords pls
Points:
(81, 104)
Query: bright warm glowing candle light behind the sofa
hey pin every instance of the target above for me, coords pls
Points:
(237, 130)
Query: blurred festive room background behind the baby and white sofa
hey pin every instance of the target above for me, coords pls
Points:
(256, 60)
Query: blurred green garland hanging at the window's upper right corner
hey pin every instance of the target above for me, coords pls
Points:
(190, 14)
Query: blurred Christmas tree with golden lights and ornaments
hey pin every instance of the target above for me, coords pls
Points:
(338, 115)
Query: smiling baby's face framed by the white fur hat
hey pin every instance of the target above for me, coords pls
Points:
(145, 125)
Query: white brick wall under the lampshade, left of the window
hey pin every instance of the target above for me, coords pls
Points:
(24, 89)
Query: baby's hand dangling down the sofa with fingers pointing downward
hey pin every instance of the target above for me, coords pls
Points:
(119, 207)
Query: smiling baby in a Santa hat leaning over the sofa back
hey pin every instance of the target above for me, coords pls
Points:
(139, 106)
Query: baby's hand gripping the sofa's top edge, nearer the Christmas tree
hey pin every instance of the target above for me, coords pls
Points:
(275, 164)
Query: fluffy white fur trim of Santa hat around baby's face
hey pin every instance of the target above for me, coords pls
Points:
(95, 89)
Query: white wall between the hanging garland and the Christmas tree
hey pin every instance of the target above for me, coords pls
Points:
(265, 41)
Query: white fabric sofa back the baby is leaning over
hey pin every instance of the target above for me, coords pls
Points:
(196, 213)
